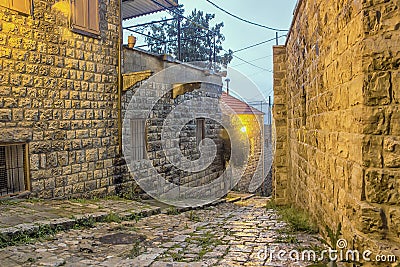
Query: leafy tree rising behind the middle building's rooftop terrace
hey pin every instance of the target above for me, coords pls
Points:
(197, 43)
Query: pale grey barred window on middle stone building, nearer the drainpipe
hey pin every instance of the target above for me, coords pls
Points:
(138, 139)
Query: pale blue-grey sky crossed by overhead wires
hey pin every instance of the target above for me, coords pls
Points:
(238, 34)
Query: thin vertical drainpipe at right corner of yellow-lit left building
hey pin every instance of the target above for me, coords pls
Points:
(119, 73)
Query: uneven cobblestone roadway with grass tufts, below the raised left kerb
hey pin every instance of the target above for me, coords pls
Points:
(230, 234)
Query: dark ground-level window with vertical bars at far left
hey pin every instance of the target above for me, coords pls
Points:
(12, 169)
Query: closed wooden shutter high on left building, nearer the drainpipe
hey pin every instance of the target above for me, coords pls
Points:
(85, 15)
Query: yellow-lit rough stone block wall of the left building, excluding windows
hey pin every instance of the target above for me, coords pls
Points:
(58, 94)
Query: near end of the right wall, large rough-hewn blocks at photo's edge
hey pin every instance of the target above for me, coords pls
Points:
(381, 126)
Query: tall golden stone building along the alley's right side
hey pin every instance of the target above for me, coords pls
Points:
(336, 83)
